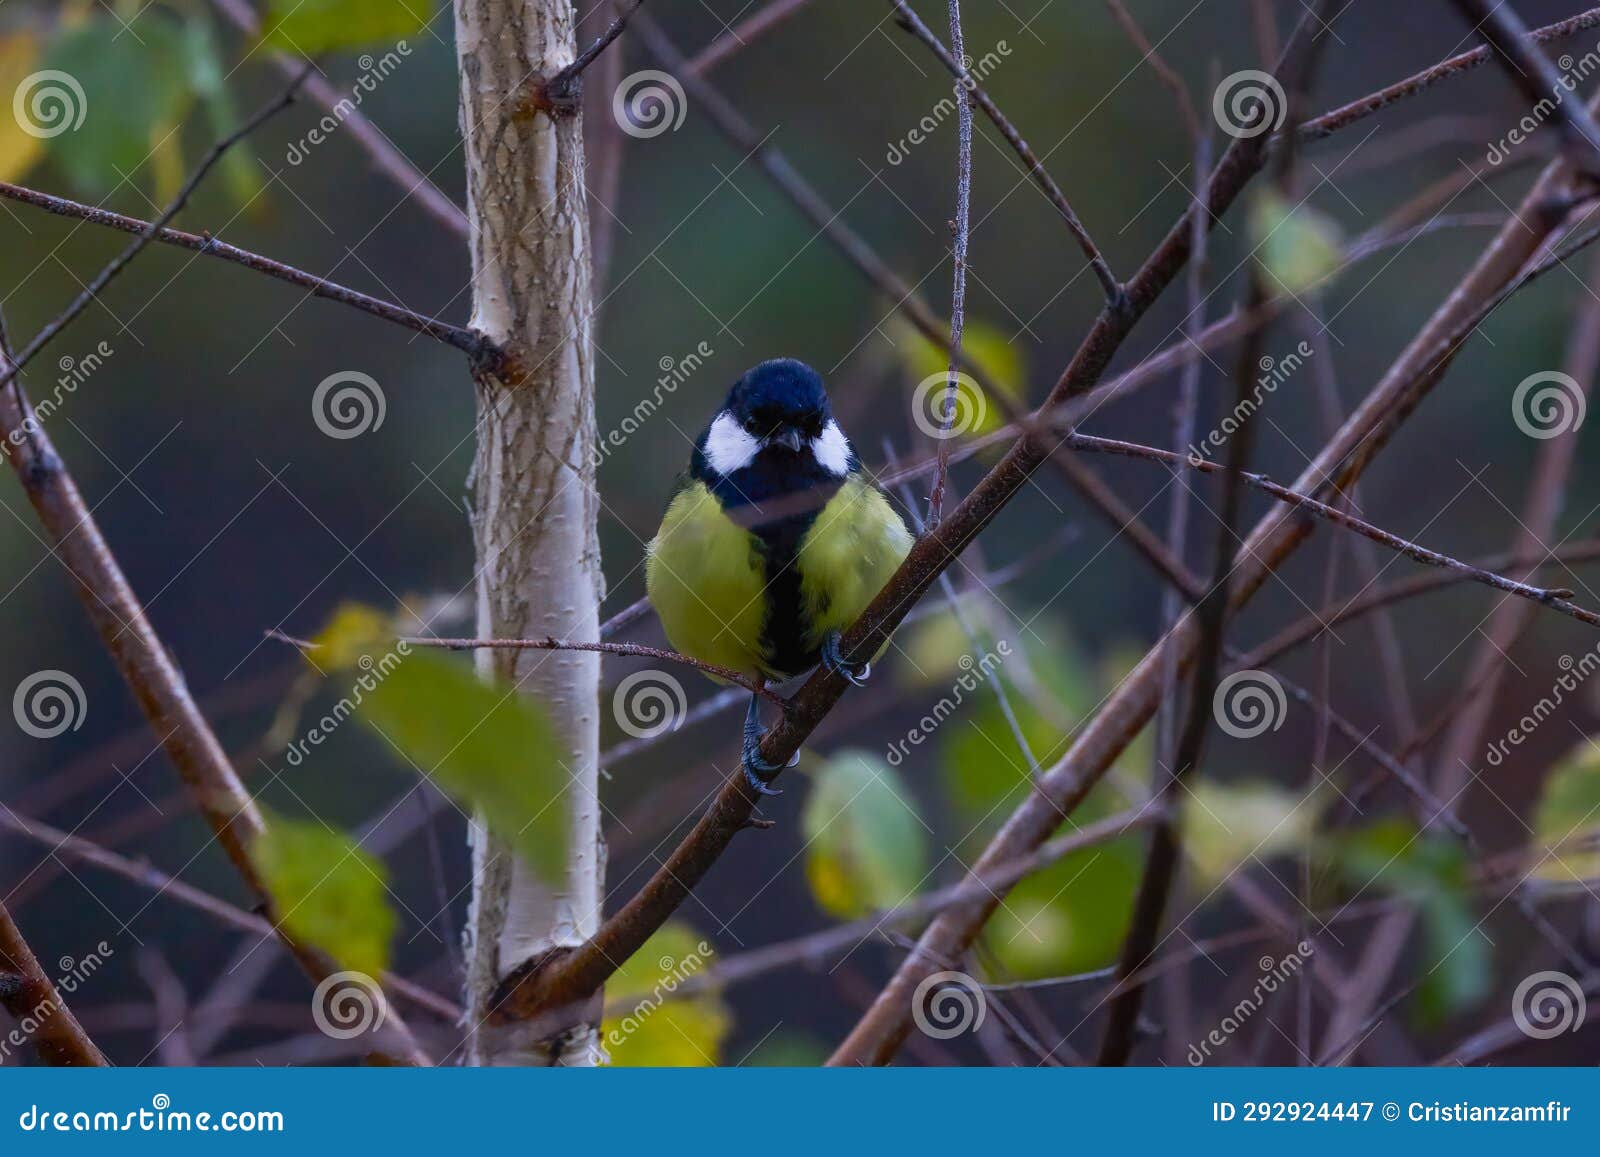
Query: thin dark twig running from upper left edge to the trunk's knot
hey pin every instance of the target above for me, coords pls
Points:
(470, 342)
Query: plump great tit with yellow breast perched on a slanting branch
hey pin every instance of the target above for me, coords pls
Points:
(774, 543)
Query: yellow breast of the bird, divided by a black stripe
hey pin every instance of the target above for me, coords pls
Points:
(711, 583)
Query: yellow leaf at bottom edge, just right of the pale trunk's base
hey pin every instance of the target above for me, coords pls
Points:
(657, 1028)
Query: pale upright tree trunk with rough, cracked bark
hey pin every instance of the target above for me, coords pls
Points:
(534, 482)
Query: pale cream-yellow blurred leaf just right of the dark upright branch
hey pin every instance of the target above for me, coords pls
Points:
(1226, 825)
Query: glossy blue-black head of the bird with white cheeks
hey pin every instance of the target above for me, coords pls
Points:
(774, 434)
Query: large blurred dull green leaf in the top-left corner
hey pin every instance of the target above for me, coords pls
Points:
(130, 90)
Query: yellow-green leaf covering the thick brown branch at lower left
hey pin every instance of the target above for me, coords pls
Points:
(327, 892)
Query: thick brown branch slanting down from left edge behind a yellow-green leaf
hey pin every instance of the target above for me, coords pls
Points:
(146, 667)
